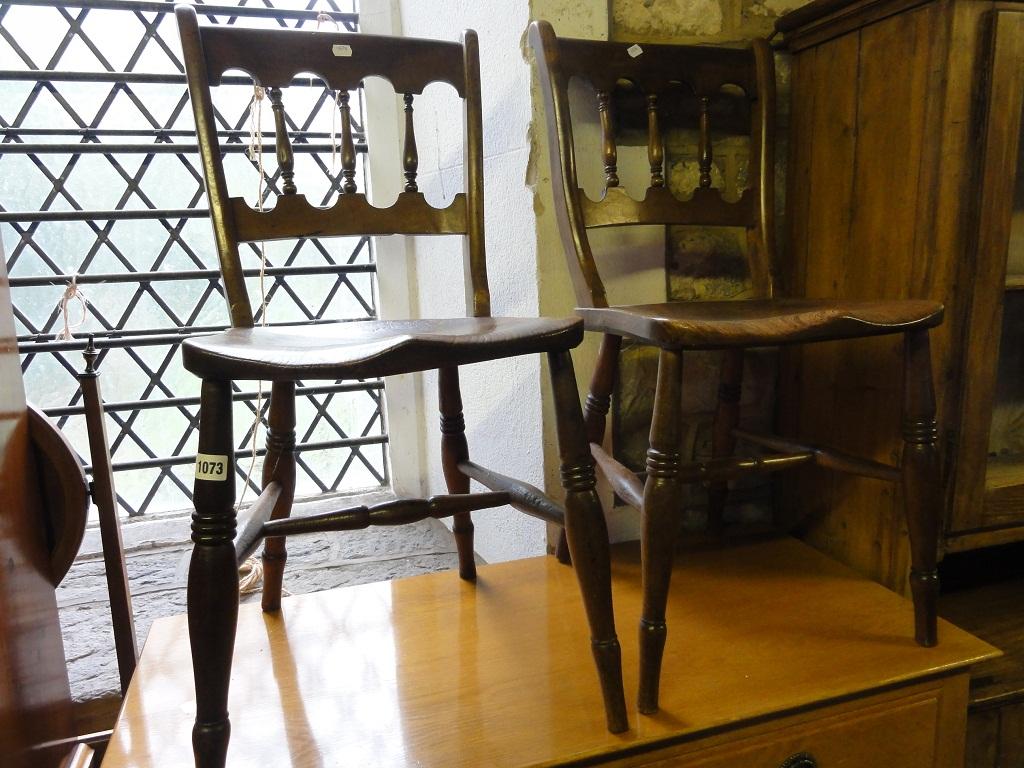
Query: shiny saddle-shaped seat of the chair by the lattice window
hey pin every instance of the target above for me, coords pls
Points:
(370, 349)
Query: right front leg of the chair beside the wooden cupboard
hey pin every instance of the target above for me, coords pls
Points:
(922, 492)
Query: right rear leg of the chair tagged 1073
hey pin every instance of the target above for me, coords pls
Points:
(456, 450)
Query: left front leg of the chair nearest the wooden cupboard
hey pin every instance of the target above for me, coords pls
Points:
(660, 522)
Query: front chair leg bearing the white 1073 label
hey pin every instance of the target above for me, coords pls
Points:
(214, 576)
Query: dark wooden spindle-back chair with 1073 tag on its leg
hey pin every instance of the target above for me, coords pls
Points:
(358, 351)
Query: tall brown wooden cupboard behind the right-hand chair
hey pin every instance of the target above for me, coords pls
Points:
(906, 180)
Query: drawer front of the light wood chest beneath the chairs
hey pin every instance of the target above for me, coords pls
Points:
(904, 734)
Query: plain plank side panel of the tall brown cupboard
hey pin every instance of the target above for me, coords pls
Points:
(868, 125)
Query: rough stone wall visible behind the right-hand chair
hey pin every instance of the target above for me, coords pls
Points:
(703, 263)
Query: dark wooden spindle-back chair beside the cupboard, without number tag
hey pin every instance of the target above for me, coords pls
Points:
(695, 86)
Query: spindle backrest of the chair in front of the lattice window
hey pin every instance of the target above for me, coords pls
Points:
(273, 59)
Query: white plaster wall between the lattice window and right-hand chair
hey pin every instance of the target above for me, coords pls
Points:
(502, 400)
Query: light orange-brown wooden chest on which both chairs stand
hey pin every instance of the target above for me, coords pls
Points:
(774, 651)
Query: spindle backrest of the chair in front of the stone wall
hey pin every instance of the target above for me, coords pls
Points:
(649, 87)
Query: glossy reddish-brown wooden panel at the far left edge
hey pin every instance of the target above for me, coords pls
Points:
(34, 693)
